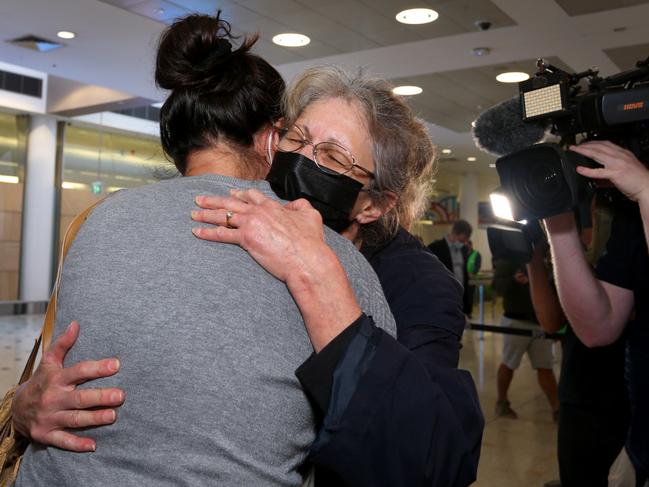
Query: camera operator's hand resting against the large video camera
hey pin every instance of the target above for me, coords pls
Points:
(621, 167)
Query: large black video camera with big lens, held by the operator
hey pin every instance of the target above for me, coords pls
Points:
(541, 180)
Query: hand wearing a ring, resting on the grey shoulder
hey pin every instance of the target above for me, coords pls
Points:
(286, 240)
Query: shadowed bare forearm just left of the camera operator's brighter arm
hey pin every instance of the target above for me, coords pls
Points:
(544, 298)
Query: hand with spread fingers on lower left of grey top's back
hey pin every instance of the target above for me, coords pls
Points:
(49, 401)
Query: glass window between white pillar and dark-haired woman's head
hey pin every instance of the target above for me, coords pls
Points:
(97, 162)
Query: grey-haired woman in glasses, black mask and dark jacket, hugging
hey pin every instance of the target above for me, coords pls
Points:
(354, 151)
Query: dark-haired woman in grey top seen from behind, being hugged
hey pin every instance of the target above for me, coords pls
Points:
(207, 341)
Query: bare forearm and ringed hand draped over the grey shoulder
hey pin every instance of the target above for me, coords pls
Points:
(289, 243)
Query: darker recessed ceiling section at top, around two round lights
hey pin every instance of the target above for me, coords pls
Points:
(335, 27)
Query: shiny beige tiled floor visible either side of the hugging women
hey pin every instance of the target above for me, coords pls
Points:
(515, 453)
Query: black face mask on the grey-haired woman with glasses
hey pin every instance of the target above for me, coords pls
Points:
(294, 176)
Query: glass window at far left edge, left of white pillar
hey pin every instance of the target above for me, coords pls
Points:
(13, 130)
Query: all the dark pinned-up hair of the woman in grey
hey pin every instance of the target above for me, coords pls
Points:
(217, 94)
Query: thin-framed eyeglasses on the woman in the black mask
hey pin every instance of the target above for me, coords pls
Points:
(330, 157)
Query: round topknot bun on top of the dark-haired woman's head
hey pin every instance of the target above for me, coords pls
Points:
(194, 51)
